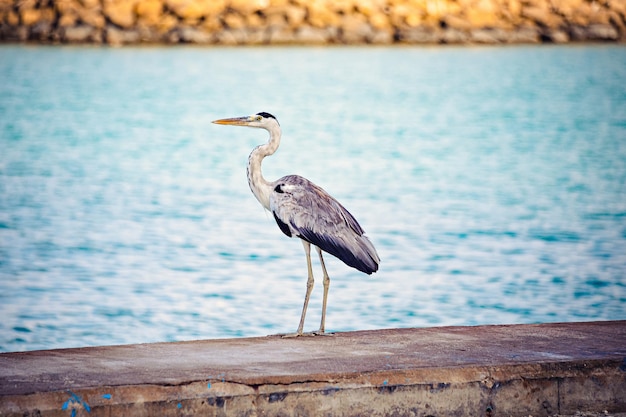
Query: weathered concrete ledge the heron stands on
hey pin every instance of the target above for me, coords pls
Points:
(517, 370)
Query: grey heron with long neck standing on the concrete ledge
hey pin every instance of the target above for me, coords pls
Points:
(304, 210)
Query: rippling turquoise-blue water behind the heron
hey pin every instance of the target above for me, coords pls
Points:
(491, 180)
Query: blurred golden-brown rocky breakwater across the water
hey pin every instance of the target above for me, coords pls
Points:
(250, 22)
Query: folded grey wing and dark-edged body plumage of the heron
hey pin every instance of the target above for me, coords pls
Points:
(305, 210)
